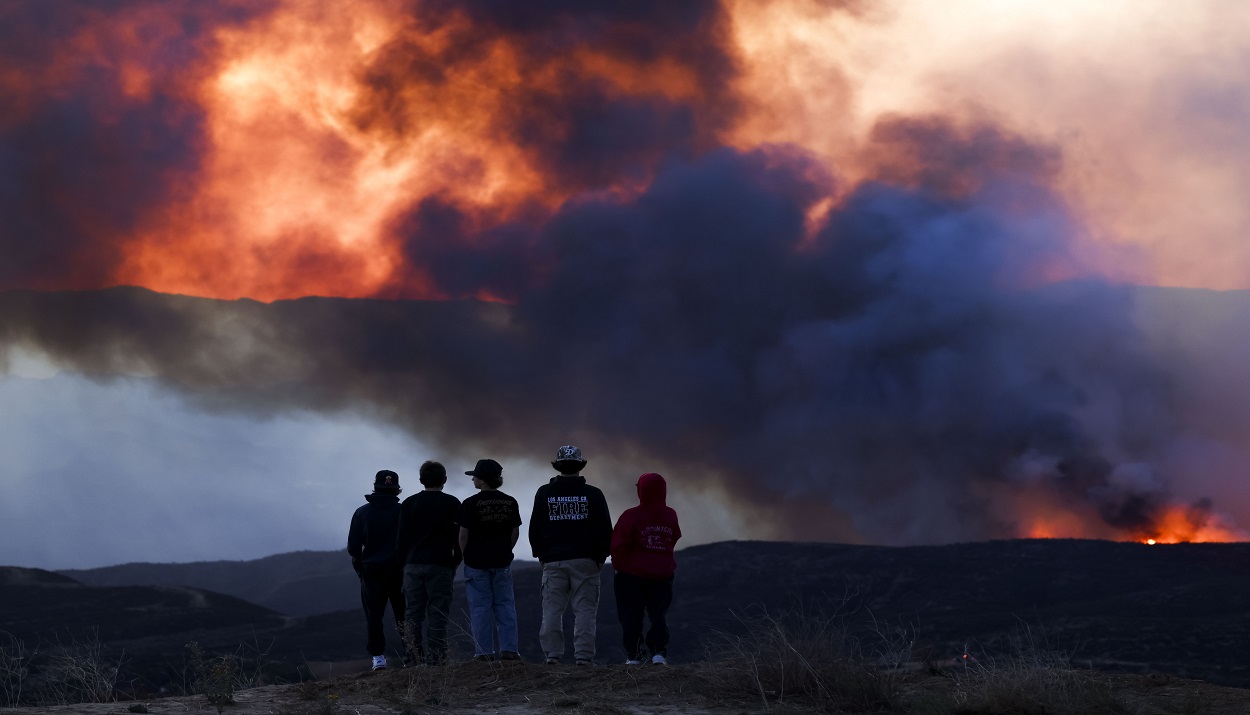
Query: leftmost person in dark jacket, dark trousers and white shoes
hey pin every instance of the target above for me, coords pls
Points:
(372, 546)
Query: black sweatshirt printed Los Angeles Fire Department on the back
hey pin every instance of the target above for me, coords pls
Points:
(571, 521)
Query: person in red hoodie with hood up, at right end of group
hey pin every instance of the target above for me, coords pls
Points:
(644, 566)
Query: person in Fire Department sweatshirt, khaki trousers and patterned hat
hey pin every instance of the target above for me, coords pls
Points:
(571, 533)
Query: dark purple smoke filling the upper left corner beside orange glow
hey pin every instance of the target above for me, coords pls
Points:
(83, 159)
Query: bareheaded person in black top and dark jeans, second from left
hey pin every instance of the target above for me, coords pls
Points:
(429, 549)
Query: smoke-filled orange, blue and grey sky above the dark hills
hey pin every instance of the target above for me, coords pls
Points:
(896, 272)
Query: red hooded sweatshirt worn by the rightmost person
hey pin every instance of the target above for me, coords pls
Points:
(644, 536)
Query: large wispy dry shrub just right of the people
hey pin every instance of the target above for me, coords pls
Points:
(797, 657)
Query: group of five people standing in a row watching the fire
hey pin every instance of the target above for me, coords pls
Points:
(407, 556)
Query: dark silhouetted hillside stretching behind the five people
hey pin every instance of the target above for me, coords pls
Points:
(1124, 607)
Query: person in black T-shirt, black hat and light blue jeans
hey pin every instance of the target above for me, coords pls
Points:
(491, 524)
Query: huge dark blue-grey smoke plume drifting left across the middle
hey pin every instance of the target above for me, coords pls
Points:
(898, 367)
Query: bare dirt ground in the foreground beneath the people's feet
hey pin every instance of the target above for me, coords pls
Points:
(526, 689)
